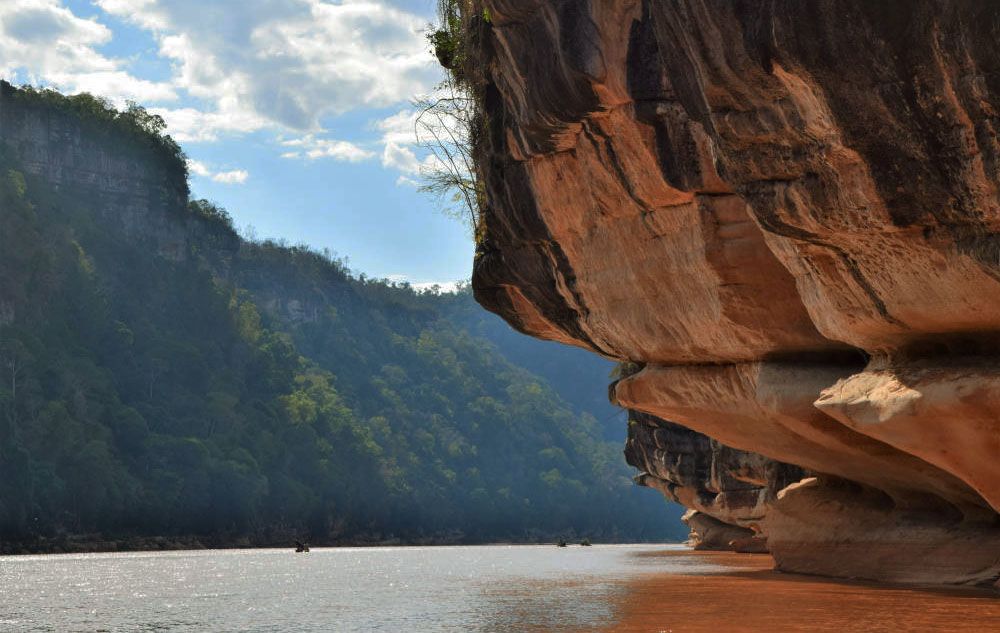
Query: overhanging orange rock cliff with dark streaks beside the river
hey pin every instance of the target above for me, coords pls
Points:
(784, 215)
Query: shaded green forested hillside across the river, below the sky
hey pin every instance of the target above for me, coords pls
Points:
(163, 376)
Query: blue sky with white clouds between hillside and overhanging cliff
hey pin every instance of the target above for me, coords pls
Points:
(296, 114)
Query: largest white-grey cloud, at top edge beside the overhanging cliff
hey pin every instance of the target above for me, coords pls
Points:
(288, 62)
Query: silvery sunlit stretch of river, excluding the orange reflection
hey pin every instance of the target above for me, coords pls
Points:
(432, 589)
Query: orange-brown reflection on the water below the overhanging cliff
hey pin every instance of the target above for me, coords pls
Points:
(750, 598)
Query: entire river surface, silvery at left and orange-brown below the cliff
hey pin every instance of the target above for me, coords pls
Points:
(492, 588)
